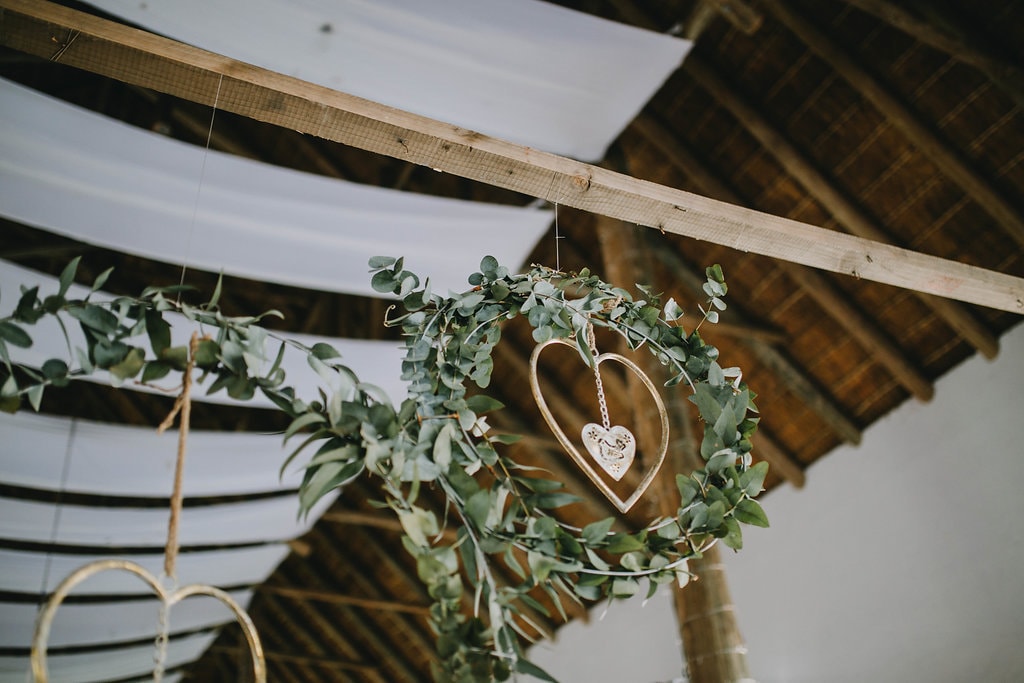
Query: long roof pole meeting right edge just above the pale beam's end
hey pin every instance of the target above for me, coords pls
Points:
(950, 161)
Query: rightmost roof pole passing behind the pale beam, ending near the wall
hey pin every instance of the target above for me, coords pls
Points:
(846, 212)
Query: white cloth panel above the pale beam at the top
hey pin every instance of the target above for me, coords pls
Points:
(529, 72)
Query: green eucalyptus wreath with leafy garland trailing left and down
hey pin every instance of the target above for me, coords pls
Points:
(439, 435)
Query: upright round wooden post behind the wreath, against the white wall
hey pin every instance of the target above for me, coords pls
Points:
(713, 647)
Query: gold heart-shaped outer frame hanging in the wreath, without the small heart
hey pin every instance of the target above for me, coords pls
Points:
(623, 505)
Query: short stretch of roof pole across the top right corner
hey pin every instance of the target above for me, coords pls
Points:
(946, 36)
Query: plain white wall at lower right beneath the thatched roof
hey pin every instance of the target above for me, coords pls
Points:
(902, 561)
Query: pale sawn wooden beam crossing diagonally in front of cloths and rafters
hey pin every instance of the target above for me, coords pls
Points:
(136, 57)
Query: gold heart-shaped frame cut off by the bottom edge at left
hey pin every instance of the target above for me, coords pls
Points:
(168, 597)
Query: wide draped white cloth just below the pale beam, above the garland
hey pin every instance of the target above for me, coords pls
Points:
(96, 180)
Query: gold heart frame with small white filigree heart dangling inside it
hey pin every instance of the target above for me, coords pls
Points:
(612, 448)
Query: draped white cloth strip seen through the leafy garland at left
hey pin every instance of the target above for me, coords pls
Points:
(377, 363)
